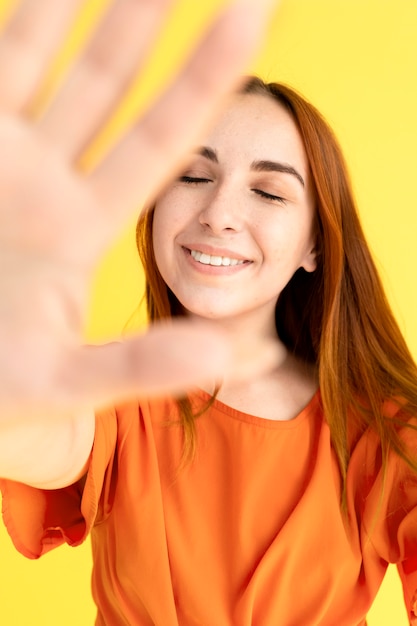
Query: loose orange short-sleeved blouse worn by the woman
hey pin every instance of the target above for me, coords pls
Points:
(250, 533)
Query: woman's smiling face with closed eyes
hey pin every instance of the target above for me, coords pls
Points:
(229, 234)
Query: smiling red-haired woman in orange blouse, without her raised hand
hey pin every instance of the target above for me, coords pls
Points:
(208, 509)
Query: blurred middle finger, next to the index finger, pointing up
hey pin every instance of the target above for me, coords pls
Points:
(97, 81)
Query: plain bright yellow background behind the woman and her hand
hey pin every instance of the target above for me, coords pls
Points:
(356, 60)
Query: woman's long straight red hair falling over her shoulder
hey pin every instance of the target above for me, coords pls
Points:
(337, 317)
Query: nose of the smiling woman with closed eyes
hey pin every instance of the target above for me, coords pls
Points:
(222, 211)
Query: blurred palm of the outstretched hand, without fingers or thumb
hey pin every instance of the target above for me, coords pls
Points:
(45, 262)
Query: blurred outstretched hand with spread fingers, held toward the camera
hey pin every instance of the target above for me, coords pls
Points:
(56, 221)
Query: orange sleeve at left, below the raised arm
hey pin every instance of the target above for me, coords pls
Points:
(39, 520)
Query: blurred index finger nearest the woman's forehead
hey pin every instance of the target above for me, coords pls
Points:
(150, 152)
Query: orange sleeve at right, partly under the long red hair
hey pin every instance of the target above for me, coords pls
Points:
(385, 504)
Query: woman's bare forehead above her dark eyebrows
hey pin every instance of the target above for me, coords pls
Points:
(255, 126)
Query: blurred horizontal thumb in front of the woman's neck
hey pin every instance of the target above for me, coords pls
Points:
(169, 358)
